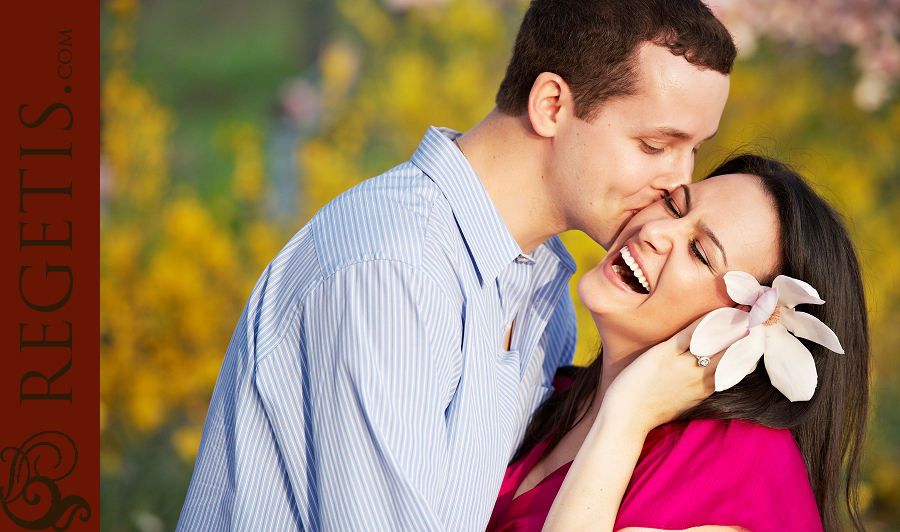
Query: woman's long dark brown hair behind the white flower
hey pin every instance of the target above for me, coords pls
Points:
(829, 428)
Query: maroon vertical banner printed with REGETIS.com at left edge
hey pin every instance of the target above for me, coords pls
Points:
(49, 271)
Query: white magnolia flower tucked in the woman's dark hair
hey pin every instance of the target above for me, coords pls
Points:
(764, 331)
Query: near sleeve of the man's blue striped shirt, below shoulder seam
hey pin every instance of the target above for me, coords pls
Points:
(356, 400)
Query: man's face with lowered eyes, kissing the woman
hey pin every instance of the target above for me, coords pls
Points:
(606, 170)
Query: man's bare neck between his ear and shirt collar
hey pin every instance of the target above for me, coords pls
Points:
(508, 157)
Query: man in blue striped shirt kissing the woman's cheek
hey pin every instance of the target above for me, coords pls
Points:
(390, 356)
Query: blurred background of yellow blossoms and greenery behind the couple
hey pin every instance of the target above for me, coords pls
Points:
(226, 124)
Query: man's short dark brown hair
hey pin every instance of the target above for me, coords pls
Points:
(592, 45)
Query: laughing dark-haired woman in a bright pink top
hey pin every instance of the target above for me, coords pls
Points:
(746, 458)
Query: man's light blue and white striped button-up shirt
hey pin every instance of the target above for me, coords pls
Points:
(366, 386)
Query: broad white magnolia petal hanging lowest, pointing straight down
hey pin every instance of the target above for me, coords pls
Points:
(790, 365)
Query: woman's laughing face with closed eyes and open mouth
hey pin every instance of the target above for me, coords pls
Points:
(682, 245)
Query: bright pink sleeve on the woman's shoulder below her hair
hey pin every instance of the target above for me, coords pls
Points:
(729, 473)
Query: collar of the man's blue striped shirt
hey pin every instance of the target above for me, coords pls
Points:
(490, 242)
